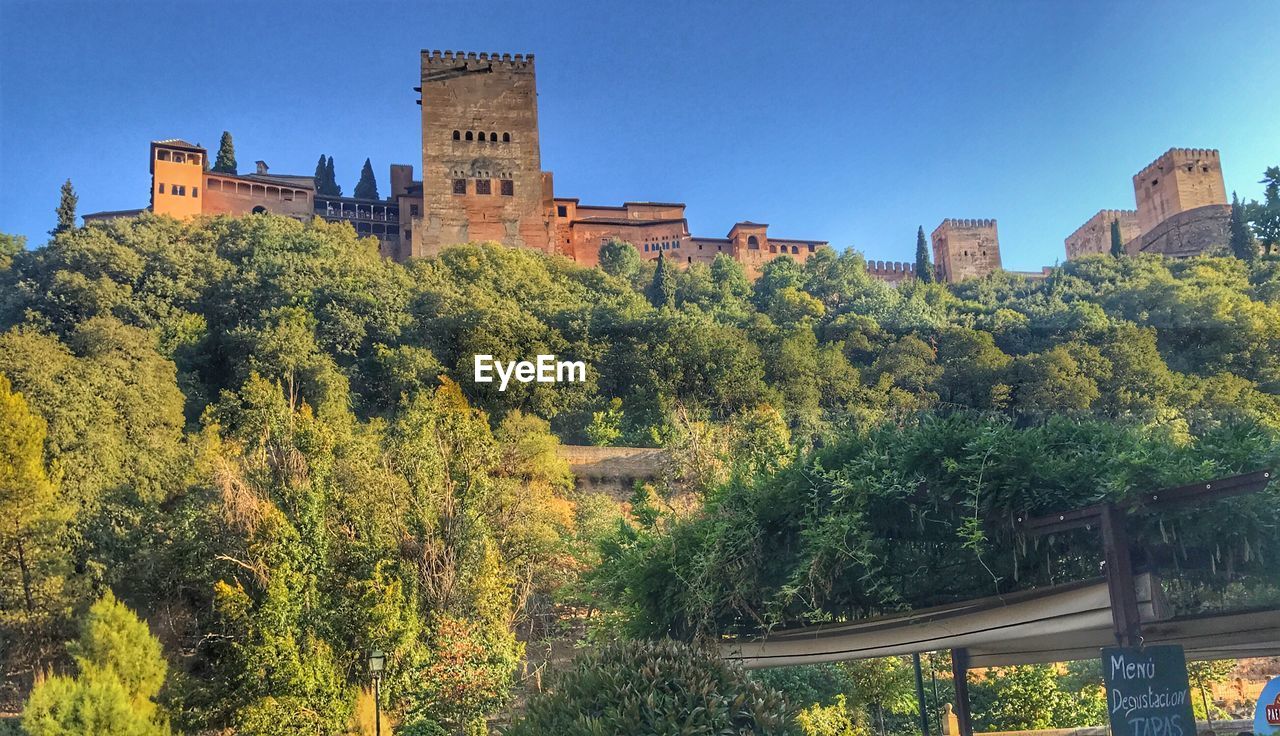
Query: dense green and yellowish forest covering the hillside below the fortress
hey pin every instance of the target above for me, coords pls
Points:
(264, 440)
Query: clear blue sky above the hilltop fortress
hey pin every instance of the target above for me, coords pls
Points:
(848, 122)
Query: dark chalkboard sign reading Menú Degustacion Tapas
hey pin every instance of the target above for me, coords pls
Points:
(1148, 692)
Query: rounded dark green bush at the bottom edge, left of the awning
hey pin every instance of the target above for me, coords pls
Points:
(655, 688)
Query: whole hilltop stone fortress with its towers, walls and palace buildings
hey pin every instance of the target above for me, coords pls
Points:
(483, 181)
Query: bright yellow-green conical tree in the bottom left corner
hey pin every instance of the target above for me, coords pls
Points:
(121, 671)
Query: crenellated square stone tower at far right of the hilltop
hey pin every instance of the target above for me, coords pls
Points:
(1180, 181)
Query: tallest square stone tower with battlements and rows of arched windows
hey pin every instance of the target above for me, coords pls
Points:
(482, 166)
